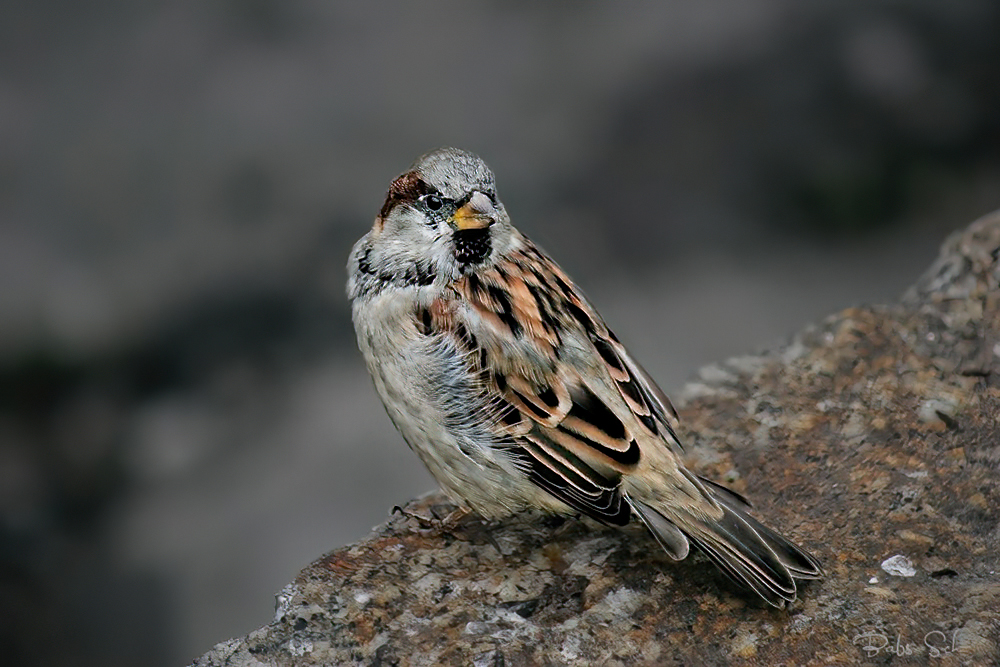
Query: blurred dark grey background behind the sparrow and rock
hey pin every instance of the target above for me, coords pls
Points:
(184, 418)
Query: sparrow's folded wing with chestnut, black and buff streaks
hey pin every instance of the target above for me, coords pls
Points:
(566, 399)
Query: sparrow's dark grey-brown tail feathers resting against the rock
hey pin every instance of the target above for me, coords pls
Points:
(747, 551)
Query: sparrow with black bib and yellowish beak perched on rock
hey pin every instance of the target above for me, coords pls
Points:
(515, 394)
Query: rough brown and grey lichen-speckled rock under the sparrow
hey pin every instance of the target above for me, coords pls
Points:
(872, 439)
